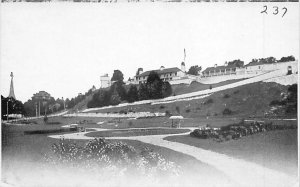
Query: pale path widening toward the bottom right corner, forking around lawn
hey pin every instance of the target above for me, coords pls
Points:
(242, 172)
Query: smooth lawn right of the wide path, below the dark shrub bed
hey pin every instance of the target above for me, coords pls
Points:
(274, 149)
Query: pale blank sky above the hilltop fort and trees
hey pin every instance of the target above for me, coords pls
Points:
(64, 48)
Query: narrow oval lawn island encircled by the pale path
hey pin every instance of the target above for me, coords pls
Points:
(136, 132)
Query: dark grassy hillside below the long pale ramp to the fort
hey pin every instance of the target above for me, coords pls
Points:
(248, 100)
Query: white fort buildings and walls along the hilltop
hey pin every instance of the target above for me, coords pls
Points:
(177, 75)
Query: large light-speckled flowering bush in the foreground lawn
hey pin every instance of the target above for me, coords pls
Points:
(116, 158)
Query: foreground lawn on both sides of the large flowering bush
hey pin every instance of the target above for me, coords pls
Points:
(22, 157)
